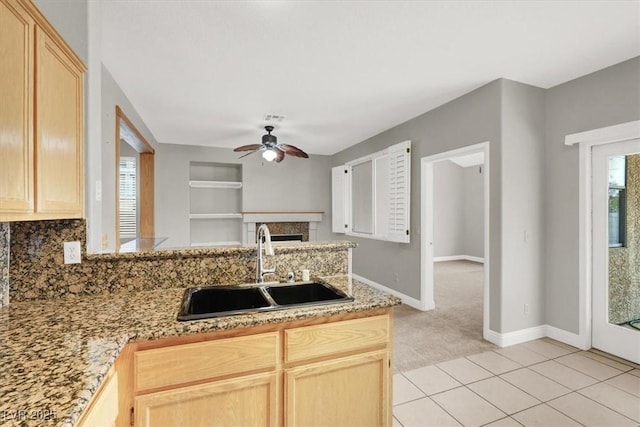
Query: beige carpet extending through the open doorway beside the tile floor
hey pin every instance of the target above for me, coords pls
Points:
(452, 330)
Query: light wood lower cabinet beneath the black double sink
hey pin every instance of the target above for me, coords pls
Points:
(322, 372)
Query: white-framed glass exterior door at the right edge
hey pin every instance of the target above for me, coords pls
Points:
(616, 249)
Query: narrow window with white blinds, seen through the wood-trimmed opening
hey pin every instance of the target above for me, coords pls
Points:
(128, 199)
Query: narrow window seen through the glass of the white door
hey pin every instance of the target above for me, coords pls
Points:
(617, 201)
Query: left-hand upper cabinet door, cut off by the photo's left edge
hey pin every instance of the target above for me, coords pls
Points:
(16, 107)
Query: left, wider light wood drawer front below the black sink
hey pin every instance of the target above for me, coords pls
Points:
(198, 361)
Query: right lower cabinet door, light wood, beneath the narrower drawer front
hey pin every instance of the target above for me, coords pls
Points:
(352, 391)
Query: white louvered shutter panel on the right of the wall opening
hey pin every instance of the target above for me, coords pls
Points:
(399, 190)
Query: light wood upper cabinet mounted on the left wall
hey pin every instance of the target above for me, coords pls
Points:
(41, 119)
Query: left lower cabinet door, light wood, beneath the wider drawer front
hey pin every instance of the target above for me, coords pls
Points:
(245, 401)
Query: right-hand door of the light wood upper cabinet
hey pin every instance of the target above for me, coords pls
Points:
(59, 137)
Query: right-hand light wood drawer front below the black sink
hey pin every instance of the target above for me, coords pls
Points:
(334, 338)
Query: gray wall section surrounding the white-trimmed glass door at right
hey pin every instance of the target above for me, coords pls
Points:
(604, 98)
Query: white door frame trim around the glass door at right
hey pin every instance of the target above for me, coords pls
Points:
(586, 141)
